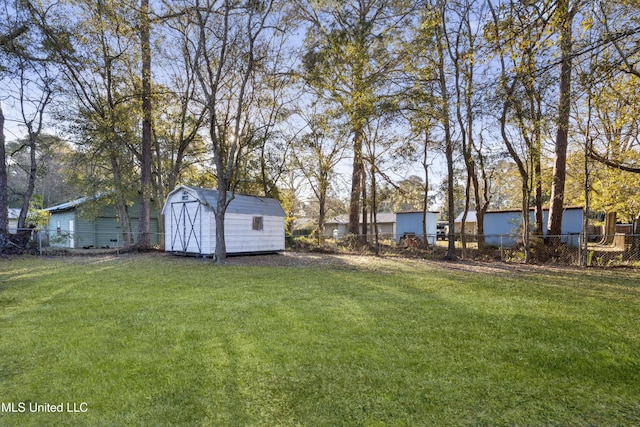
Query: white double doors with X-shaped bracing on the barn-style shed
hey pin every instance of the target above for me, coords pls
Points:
(186, 230)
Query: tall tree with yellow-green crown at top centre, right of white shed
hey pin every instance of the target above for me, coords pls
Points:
(351, 58)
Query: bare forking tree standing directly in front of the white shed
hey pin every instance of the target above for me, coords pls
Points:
(228, 44)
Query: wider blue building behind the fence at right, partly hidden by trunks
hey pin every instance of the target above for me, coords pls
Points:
(503, 227)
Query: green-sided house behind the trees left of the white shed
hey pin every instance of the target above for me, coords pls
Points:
(90, 223)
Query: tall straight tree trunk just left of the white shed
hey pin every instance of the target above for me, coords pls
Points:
(144, 240)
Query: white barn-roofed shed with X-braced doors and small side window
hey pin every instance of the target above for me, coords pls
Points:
(252, 224)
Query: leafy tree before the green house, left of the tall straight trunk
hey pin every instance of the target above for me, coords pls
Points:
(94, 49)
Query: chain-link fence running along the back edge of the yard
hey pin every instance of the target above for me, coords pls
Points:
(619, 249)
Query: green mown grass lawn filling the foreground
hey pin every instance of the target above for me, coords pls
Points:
(154, 340)
